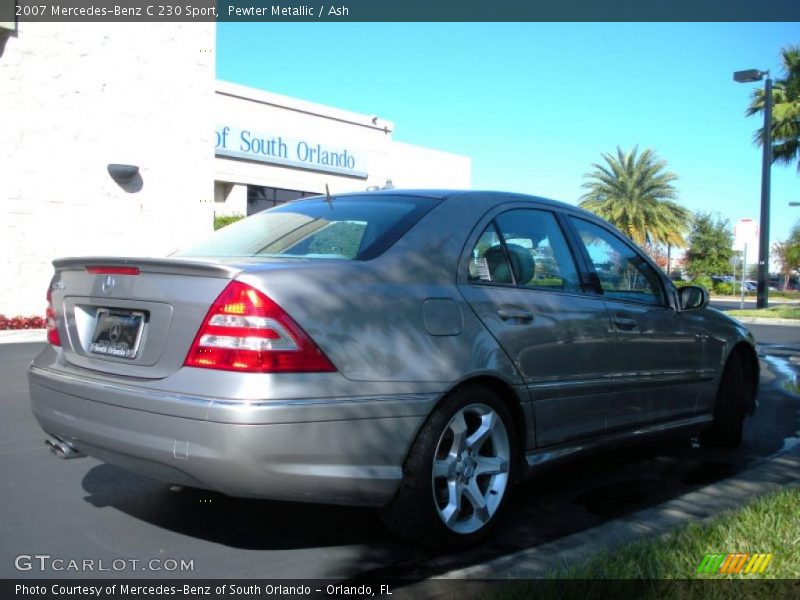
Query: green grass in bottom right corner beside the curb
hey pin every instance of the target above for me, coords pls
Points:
(667, 566)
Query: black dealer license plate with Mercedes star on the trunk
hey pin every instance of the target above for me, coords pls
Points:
(117, 333)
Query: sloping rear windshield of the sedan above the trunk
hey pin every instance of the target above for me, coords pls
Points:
(352, 228)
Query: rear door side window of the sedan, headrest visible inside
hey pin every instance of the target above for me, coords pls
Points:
(526, 248)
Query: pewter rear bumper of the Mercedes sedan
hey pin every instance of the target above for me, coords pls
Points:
(333, 450)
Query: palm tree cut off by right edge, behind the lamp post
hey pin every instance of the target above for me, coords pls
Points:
(785, 110)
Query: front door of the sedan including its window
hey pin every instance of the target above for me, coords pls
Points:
(657, 350)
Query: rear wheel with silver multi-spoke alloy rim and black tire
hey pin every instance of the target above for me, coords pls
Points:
(417, 511)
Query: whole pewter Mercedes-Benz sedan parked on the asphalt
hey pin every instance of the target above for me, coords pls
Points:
(418, 351)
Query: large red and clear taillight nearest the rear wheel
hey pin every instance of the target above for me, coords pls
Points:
(246, 331)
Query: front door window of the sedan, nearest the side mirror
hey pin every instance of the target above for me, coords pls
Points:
(624, 274)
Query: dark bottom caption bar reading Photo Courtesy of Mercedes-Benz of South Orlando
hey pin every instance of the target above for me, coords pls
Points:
(396, 589)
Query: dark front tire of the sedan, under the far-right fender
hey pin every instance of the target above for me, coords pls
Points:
(729, 408)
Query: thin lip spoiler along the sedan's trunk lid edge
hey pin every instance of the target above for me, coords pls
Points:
(171, 266)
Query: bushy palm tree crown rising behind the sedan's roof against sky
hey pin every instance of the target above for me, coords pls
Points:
(636, 194)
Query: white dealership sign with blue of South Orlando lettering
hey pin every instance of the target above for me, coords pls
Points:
(250, 144)
